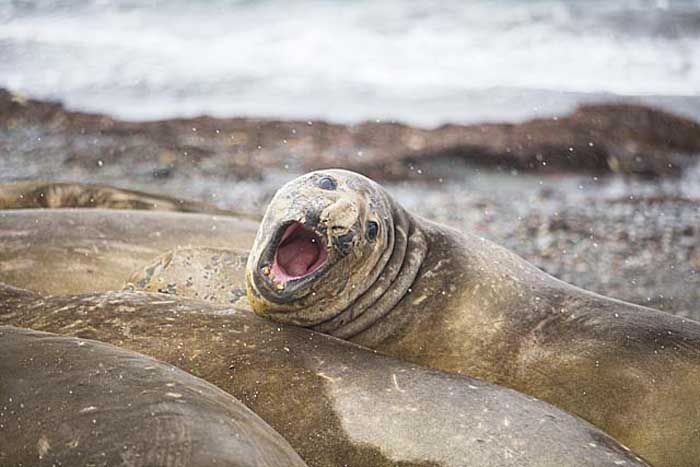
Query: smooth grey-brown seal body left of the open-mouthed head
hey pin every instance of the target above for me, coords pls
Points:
(63, 251)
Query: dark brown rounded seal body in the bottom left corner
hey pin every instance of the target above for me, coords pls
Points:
(68, 401)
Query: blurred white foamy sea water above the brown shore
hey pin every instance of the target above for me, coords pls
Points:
(422, 62)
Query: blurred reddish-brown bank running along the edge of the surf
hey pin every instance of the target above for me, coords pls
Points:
(606, 138)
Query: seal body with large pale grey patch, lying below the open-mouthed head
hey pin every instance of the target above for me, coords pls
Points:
(336, 403)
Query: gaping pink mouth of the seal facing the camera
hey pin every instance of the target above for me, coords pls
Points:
(299, 254)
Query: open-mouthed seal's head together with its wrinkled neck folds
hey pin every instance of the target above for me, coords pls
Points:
(334, 252)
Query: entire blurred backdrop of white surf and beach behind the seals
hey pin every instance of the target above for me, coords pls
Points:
(565, 130)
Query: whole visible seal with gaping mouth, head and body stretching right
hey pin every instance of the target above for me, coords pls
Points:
(431, 295)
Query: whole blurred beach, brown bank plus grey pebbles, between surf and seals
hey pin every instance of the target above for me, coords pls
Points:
(620, 216)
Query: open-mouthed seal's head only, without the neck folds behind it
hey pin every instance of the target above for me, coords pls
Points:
(324, 235)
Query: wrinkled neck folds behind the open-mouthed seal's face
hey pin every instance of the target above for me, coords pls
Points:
(390, 280)
